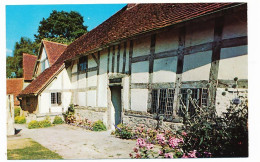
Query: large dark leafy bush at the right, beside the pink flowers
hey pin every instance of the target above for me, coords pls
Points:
(219, 136)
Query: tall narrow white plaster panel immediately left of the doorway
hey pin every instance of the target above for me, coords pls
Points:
(102, 90)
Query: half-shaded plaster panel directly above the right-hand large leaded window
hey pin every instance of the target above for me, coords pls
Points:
(197, 66)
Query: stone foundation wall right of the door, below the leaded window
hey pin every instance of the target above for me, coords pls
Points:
(148, 122)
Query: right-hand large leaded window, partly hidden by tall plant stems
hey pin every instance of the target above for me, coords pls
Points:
(199, 94)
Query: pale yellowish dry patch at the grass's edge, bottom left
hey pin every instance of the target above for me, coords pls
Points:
(18, 143)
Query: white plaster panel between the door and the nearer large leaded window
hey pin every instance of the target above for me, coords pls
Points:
(139, 99)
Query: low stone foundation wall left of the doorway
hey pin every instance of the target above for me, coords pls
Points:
(92, 113)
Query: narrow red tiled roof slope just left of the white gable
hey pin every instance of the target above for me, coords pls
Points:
(28, 65)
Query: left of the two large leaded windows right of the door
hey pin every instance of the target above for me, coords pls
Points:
(162, 102)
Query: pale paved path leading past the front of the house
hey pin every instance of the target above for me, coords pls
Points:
(76, 143)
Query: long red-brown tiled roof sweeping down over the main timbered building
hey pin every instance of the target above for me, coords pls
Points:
(129, 21)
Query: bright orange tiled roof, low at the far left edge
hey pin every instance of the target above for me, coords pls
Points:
(14, 86)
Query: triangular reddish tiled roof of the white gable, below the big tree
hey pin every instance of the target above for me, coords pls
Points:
(53, 50)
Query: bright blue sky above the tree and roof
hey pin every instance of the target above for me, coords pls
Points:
(23, 20)
